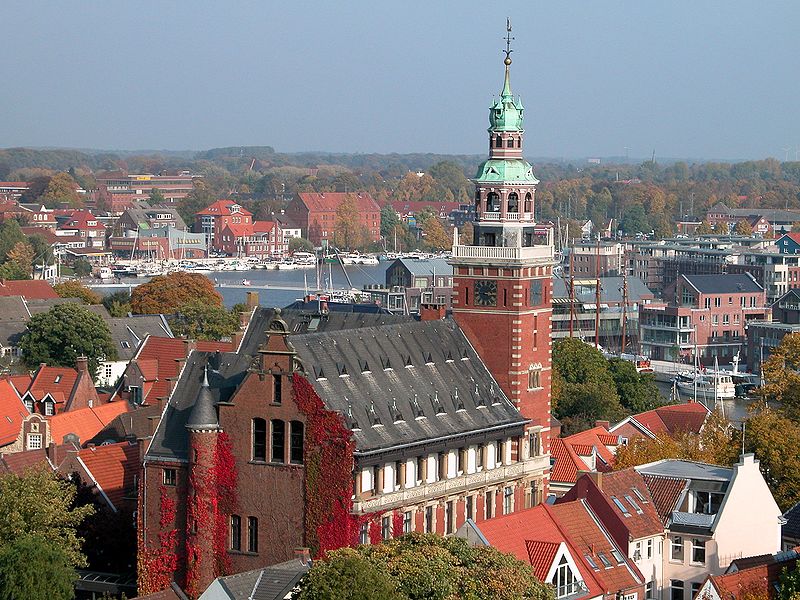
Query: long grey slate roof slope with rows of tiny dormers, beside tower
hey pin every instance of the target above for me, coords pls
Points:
(397, 384)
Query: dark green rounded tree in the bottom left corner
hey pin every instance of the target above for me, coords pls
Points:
(32, 567)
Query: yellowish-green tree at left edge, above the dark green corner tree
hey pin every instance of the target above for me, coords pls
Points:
(38, 503)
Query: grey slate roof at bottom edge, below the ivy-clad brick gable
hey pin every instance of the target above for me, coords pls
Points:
(269, 583)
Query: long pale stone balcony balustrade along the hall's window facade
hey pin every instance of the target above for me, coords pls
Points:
(451, 486)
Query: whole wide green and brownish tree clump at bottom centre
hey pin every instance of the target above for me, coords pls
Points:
(420, 566)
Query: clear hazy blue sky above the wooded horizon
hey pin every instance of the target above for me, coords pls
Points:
(684, 78)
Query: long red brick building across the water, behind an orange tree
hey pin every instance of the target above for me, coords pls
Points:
(315, 214)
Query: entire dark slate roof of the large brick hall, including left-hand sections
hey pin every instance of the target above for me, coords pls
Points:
(351, 342)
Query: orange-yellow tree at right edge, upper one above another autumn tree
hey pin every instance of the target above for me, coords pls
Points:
(782, 377)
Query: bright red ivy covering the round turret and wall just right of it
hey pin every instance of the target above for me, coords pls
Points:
(212, 499)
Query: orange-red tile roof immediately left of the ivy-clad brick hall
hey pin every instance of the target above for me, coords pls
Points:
(113, 467)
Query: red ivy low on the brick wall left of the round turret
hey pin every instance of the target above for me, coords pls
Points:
(157, 565)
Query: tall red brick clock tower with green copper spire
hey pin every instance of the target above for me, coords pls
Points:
(502, 282)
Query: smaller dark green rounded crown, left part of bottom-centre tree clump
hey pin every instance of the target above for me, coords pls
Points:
(347, 575)
